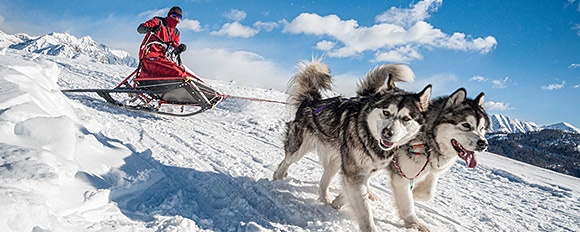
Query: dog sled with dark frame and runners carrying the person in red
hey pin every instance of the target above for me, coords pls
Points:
(185, 95)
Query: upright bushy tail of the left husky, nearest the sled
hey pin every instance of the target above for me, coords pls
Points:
(306, 85)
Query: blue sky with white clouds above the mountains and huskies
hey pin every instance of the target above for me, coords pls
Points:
(525, 55)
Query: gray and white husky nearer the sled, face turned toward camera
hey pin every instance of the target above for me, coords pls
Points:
(357, 135)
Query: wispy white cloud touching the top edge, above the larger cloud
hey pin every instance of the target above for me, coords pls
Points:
(408, 17)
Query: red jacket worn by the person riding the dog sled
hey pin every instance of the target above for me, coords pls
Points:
(167, 33)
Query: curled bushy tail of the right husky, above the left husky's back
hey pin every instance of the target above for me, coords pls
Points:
(391, 73)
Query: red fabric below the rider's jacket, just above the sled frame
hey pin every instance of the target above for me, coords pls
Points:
(160, 67)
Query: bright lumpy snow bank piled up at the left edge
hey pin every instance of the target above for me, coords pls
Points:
(45, 151)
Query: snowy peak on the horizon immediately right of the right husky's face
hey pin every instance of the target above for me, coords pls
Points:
(503, 124)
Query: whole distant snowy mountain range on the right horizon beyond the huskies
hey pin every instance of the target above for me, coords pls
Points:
(504, 124)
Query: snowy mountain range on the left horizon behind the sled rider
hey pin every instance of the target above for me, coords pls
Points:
(66, 45)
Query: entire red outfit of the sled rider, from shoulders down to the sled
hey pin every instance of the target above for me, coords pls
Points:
(154, 63)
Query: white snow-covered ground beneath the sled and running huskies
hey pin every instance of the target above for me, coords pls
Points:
(74, 163)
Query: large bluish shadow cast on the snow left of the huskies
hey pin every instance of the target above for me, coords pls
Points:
(144, 188)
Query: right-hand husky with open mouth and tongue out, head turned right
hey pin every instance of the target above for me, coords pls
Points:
(455, 128)
